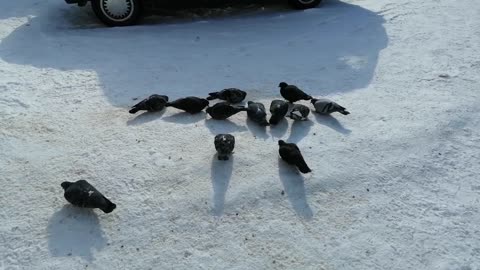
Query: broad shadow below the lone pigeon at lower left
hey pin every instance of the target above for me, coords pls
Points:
(74, 231)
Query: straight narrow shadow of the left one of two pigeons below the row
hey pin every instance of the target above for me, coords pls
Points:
(221, 175)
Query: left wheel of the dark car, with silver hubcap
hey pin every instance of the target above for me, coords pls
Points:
(118, 12)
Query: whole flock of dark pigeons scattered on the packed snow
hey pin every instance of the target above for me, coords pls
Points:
(83, 194)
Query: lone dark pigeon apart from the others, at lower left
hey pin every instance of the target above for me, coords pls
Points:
(82, 194)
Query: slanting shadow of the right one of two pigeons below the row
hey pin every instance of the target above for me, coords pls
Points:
(293, 183)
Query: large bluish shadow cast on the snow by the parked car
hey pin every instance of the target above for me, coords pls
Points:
(255, 48)
